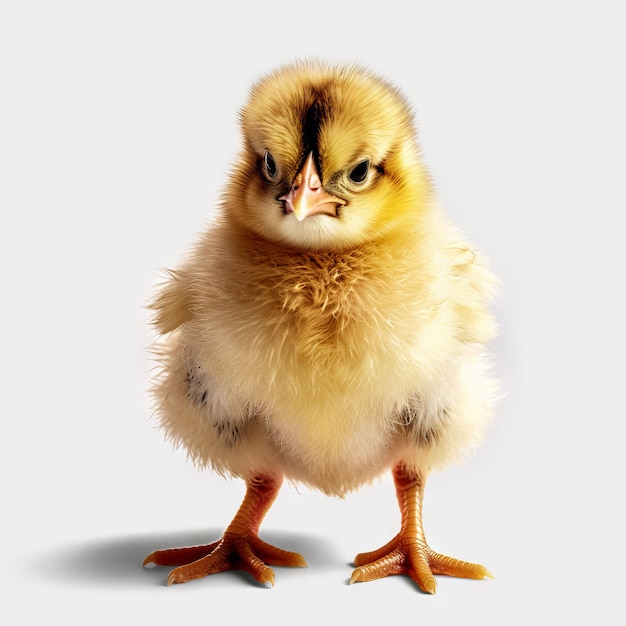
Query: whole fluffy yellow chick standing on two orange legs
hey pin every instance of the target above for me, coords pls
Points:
(328, 327)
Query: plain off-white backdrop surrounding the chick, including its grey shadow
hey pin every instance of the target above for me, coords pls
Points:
(119, 126)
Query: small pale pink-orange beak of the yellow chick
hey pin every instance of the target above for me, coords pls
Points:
(307, 196)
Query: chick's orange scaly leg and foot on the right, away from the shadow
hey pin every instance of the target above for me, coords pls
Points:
(408, 552)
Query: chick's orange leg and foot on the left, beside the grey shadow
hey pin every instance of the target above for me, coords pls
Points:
(239, 548)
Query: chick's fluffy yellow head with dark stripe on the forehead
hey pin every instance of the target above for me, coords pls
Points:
(329, 159)
